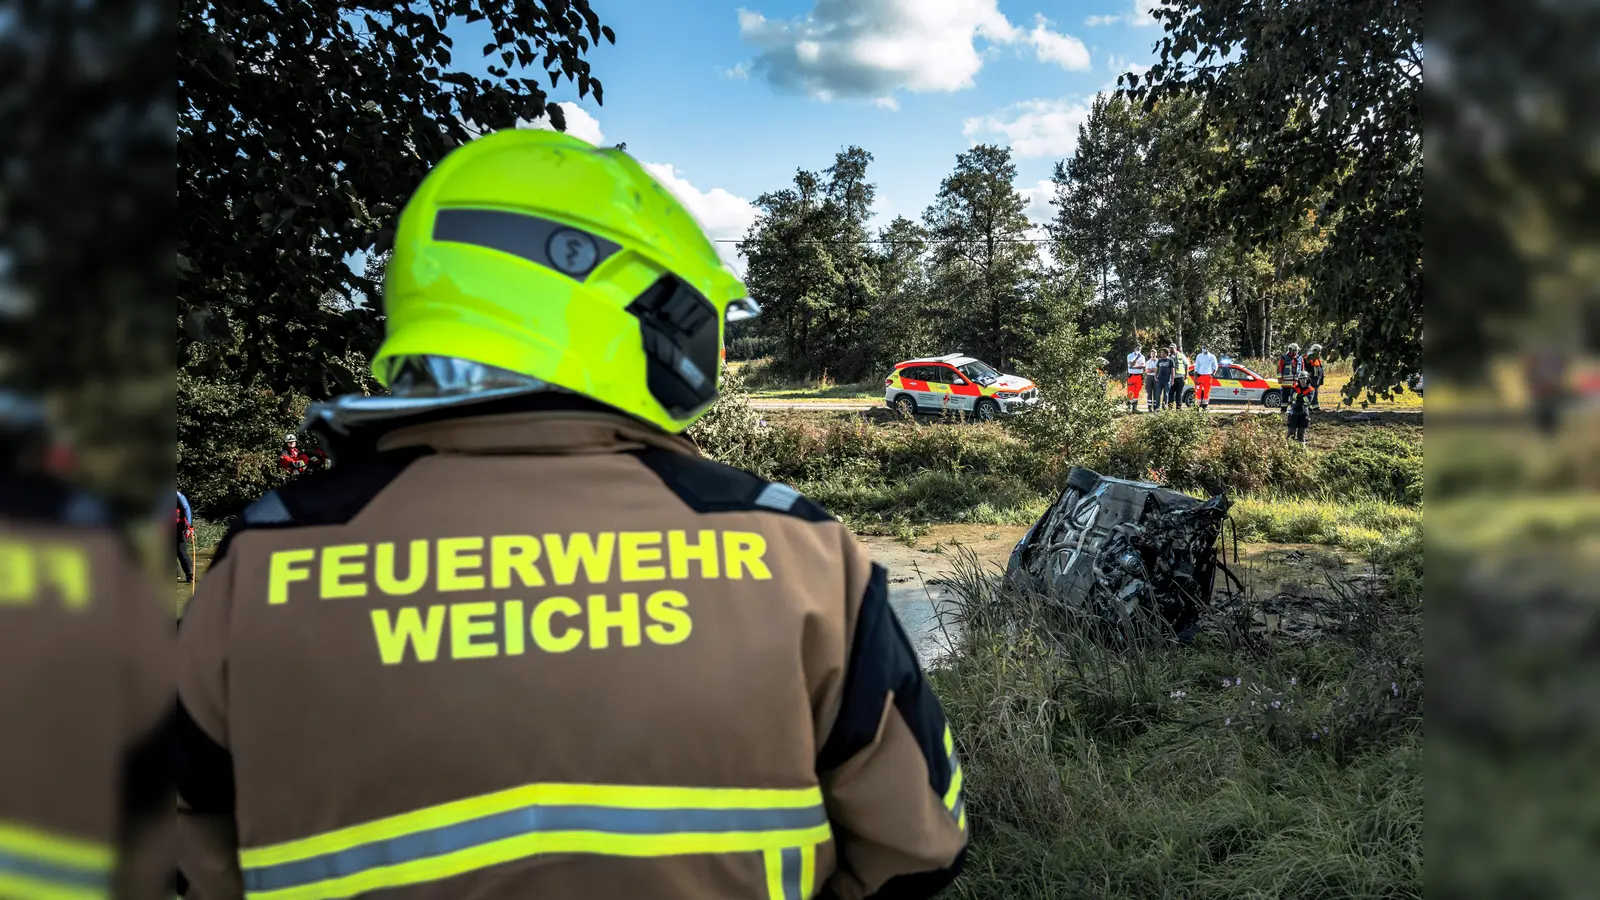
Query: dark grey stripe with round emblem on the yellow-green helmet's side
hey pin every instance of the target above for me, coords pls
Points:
(554, 246)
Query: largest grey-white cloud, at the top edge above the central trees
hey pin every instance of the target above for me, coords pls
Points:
(871, 49)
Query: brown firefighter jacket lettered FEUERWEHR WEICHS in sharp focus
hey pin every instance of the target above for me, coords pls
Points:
(554, 654)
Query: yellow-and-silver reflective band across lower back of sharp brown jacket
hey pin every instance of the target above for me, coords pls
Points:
(618, 821)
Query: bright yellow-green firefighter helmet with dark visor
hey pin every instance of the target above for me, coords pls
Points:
(538, 254)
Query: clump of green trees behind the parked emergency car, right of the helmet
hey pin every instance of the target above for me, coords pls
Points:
(847, 303)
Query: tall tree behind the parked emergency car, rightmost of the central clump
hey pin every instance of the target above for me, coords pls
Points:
(985, 265)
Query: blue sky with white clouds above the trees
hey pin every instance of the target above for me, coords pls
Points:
(724, 102)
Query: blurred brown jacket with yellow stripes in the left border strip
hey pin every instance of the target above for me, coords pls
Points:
(86, 686)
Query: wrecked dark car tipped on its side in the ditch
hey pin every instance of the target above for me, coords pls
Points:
(1111, 548)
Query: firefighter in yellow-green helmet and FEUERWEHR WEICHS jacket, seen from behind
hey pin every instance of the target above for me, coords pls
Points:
(522, 640)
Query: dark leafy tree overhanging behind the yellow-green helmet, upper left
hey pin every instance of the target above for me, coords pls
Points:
(302, 132)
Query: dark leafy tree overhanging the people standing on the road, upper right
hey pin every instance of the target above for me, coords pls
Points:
(1318, 106)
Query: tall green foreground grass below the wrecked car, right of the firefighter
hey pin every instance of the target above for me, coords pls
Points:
(1242, 766)
